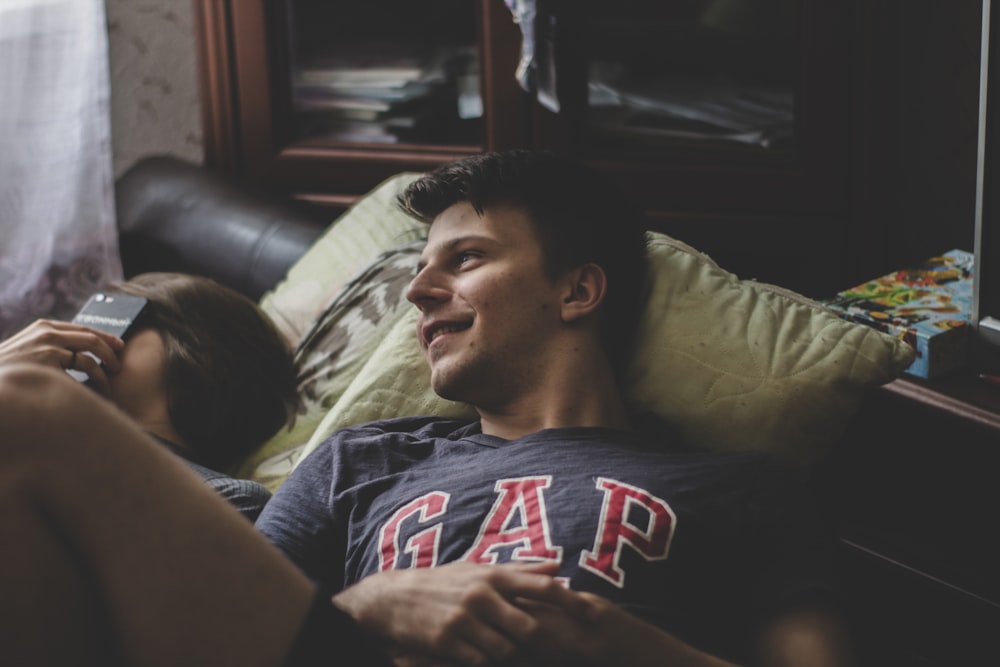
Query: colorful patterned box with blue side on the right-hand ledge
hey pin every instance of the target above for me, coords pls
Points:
(929, 306)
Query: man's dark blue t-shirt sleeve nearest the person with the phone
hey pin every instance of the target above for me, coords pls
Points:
(298, 519)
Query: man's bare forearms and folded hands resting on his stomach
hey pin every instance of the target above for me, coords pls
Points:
(463, 614)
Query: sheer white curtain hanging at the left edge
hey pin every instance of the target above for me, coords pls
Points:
(58, 239)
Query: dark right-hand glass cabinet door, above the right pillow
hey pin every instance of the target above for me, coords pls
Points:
(708, 106)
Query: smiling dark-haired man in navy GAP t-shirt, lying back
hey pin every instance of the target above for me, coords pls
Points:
(528, 290)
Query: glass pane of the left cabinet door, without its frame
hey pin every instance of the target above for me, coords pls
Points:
(383, 72)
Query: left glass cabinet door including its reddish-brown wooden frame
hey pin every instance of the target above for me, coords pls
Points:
(325, 99)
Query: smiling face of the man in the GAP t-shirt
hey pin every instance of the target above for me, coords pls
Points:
(488, 311)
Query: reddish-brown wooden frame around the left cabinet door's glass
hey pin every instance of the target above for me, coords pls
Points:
(242, 107)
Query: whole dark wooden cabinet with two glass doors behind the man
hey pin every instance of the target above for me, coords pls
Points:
(767, 133)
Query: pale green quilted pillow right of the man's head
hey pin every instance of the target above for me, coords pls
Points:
(736, 364)
